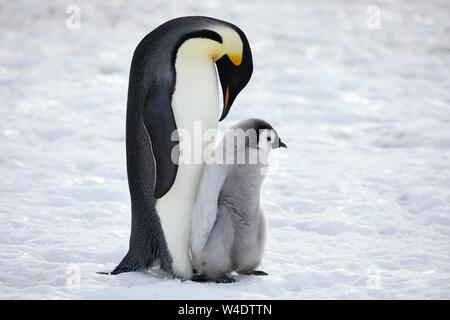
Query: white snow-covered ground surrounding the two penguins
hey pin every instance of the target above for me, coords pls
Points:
(359, 208)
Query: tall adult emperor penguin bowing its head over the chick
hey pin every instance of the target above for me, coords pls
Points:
(172, 88)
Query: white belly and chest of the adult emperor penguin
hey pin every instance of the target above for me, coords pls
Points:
(195, 104)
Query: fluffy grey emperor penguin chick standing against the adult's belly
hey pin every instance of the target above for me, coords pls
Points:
(228, 227)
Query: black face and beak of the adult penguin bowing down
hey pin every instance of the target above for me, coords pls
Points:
(234, 74)
